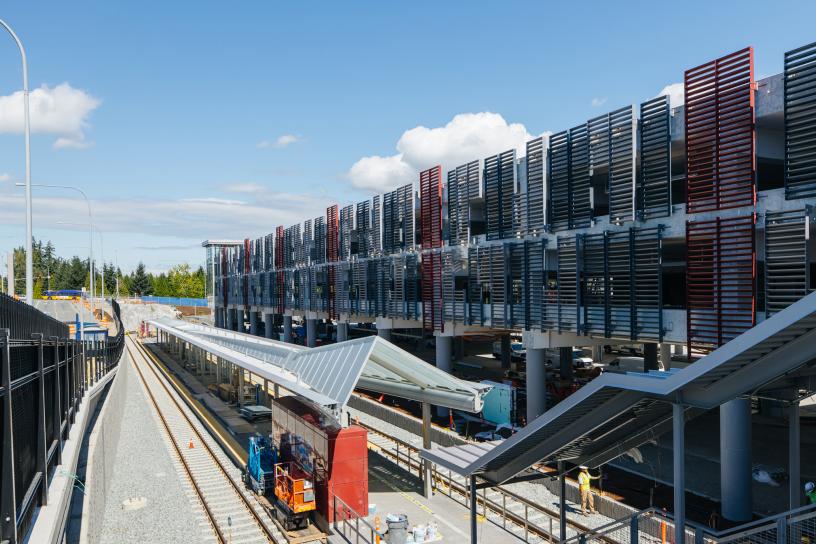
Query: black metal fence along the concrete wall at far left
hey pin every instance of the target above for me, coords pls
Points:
(44, 375)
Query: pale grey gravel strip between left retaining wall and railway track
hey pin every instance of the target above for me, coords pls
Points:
(146, 500)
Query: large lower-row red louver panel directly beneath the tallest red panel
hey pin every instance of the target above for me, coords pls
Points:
(720, 282)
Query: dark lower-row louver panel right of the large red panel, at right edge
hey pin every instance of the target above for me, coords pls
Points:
(787, 258)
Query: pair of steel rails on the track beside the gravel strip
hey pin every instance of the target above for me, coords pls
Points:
(211, 517)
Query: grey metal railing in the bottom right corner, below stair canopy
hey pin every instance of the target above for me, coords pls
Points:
(655, 526)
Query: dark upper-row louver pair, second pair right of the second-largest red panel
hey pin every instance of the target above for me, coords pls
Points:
(500, 184)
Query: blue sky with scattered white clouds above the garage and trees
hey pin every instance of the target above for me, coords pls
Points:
(171, 112)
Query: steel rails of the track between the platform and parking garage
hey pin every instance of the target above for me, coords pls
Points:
(501, 509)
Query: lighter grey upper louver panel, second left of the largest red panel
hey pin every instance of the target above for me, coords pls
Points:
(622, 144)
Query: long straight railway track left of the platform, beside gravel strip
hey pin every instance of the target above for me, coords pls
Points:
(233, 514)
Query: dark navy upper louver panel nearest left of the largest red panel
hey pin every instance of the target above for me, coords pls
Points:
(654, 192)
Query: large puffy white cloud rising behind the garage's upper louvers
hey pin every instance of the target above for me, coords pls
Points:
(466, 137)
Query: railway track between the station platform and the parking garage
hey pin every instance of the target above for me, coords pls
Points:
(528, 521)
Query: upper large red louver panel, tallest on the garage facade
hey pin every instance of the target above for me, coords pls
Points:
(720, 138)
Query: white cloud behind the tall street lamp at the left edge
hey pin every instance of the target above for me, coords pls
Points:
(61, 110)
